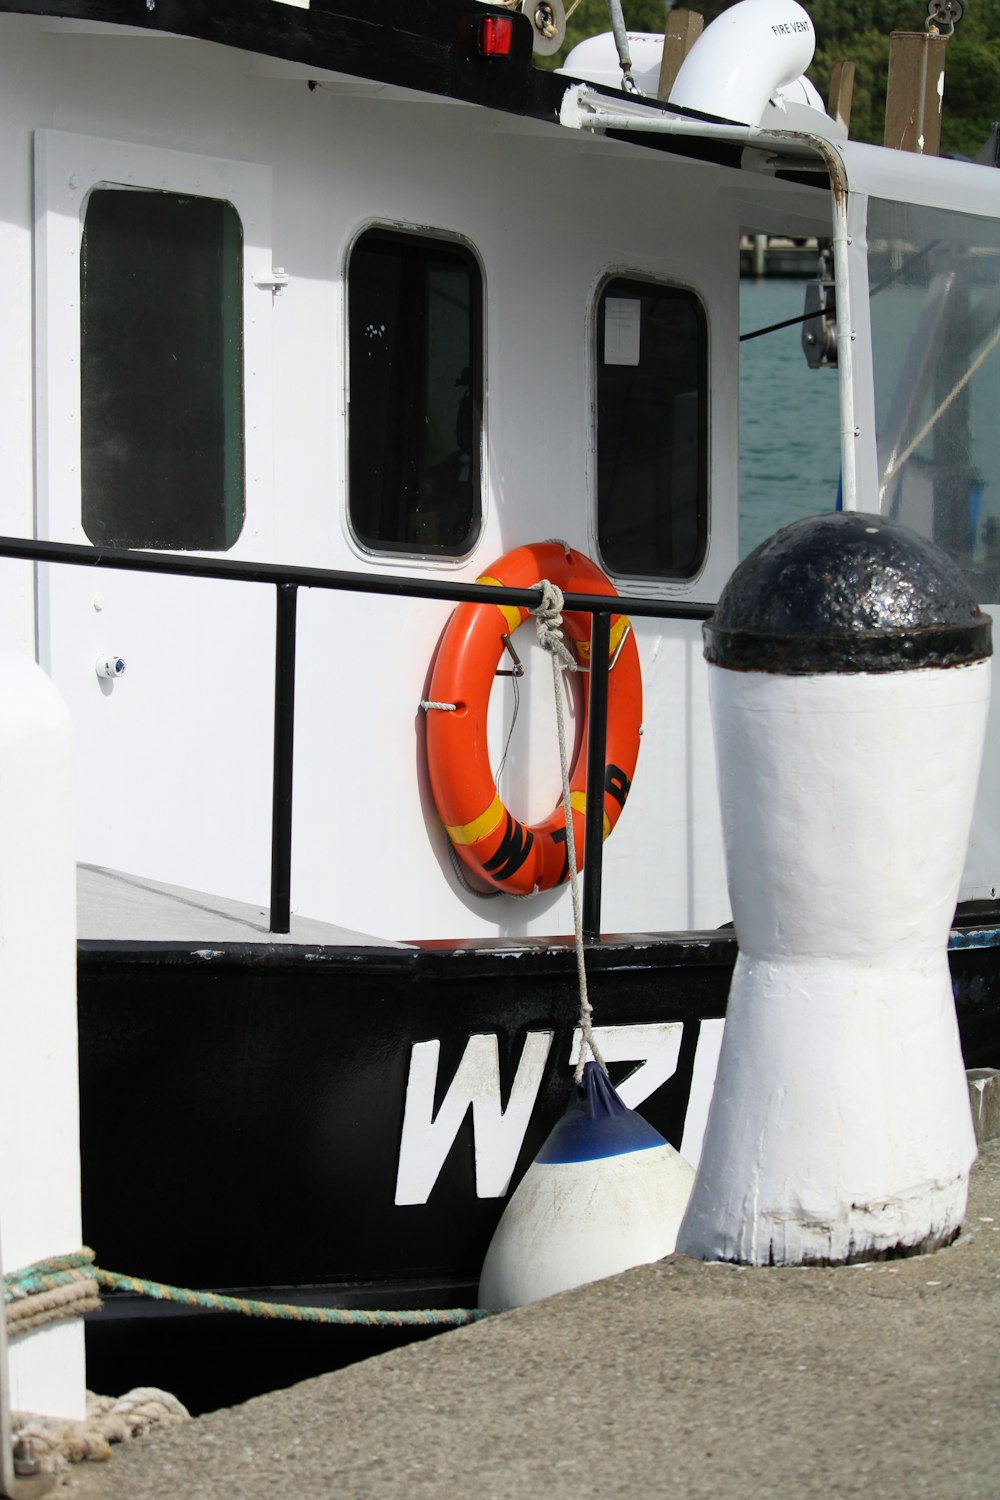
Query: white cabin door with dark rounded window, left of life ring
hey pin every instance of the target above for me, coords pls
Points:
(154, 367)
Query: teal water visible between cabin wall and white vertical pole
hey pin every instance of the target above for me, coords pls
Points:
(789, 439)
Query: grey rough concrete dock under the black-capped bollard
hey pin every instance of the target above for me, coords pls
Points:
(678, 1379)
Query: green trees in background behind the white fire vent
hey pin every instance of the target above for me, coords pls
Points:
(860, 29)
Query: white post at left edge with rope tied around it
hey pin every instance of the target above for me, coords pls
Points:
(40, 1100)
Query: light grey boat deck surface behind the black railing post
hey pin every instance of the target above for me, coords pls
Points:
(113, 907)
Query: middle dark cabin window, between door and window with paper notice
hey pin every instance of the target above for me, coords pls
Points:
(416, 335)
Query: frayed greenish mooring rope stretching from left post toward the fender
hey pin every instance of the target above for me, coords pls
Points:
(44, 1276)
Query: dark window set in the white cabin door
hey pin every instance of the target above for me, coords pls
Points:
(161, 371)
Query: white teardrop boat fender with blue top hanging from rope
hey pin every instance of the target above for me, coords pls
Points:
(605, 1193)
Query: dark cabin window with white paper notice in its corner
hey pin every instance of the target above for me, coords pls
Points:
(651, 430)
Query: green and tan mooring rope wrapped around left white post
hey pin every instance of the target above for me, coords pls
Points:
(67, 1286)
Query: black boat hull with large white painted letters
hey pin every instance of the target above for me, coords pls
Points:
(244, 1118)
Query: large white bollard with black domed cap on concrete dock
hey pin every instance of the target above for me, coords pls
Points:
(851, 682)
